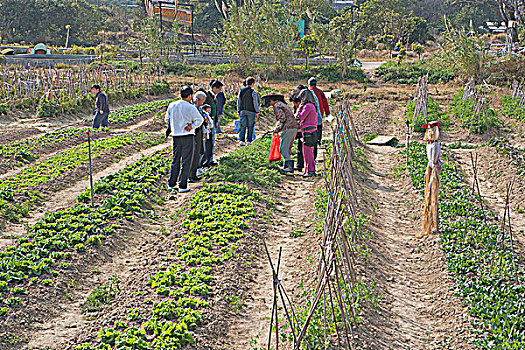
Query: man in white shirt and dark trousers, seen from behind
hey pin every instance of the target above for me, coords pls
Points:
(183, 118)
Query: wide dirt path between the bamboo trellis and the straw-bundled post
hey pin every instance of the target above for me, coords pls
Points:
(418, 309)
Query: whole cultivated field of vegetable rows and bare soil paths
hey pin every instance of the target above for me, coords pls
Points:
(144, 269)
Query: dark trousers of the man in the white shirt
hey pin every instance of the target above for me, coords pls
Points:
(182, 151)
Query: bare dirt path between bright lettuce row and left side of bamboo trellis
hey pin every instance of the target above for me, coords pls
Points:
(294, 212)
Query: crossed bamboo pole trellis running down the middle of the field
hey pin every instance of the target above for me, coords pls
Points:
(336, 280)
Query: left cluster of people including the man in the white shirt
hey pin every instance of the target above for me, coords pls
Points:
(193, 123)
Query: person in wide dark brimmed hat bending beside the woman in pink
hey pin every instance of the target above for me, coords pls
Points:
(286, 125)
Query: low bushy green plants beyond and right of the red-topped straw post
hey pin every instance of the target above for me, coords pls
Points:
(477, 123)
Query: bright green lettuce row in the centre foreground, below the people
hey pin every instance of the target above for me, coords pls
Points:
(215, 222)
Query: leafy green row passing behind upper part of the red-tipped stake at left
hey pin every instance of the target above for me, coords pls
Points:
(18, 192)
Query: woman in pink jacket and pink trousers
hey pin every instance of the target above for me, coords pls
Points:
(307, 115)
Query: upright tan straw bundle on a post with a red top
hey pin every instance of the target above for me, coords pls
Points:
(430, 219)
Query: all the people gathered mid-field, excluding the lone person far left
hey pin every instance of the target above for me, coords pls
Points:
(194, 121)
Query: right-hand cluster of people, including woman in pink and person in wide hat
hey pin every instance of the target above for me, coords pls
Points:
(304, 123)
